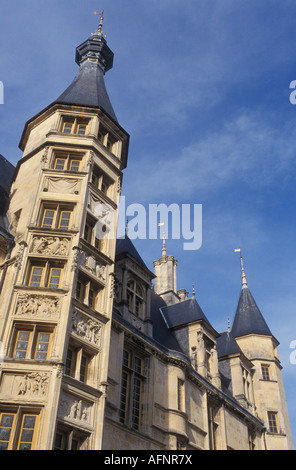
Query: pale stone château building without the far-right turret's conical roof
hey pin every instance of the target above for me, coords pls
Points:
(93, 355)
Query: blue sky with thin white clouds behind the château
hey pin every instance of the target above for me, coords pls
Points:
(202, 87)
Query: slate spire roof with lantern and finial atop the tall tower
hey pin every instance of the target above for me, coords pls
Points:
(94, 58)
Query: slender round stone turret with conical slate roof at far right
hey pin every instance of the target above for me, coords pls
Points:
(255, 339)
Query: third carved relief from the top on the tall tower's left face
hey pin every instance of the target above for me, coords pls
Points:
(38, 305)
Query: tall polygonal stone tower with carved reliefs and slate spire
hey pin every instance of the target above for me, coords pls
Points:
(58, 279)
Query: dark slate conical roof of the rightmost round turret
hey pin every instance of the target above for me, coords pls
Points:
(248, 318)
